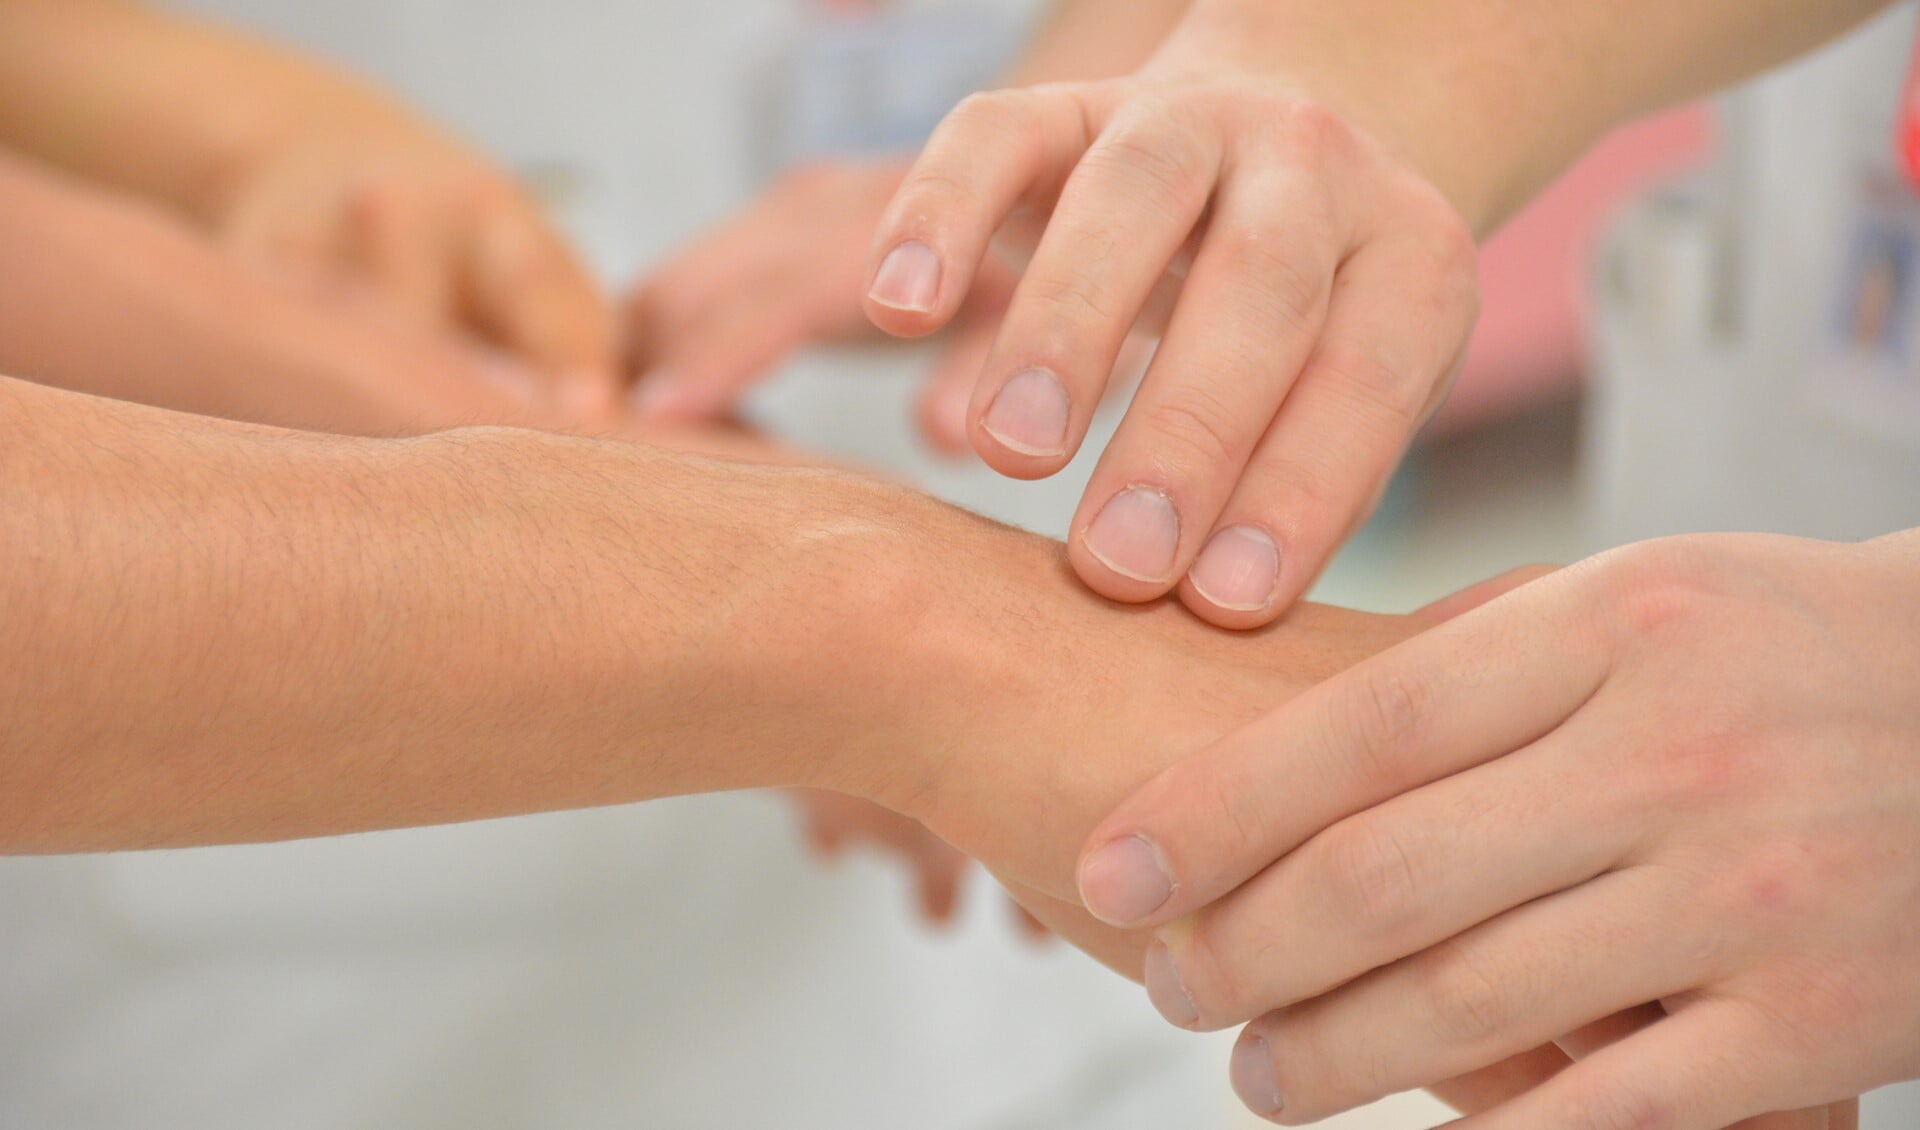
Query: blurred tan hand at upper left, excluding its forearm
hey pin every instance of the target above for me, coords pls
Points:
(358, 189)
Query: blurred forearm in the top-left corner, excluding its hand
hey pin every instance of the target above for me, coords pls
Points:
(156, 103)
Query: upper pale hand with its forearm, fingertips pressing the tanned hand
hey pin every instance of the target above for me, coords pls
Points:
(1307, 179)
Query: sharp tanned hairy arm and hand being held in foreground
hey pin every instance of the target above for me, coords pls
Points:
(224, 632)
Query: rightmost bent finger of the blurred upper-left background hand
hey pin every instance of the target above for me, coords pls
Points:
(527, 293)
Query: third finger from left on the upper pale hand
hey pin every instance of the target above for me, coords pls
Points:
(1245, 325)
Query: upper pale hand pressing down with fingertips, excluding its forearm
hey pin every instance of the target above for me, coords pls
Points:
(1322, 298)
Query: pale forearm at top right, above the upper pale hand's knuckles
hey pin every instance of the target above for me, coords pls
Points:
(1493, 99)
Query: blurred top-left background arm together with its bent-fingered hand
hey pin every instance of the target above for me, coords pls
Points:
(304, 168)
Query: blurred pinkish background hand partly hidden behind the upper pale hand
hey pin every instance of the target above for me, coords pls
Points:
(777, 279)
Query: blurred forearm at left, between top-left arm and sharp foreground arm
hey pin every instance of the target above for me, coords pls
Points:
(110, 296)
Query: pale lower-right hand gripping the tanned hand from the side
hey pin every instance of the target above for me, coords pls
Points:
(1679, 774)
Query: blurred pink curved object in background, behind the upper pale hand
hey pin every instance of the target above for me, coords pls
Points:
(1533, 275)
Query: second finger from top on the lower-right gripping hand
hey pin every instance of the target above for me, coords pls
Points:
(1397, 880)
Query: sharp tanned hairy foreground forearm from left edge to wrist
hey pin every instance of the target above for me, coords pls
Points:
(235, 634)
